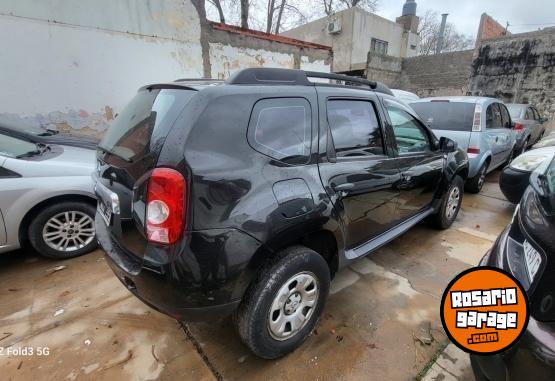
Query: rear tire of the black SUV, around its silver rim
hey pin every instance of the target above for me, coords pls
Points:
(252, 318)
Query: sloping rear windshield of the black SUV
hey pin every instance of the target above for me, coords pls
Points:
(150, 114)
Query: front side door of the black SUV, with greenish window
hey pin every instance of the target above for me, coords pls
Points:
(419, 160)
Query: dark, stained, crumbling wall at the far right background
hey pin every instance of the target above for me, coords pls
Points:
(518, 69)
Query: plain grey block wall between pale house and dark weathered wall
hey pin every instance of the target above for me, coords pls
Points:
(434, 75)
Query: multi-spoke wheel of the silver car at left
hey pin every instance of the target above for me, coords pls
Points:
(64, 230)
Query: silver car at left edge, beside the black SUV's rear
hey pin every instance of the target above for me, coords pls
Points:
(46, 197)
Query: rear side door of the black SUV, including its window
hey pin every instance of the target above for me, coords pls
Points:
(359, 174)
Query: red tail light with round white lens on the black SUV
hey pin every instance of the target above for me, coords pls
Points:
(165, 206)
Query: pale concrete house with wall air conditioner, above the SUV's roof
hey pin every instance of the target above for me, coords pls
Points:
(352, 45)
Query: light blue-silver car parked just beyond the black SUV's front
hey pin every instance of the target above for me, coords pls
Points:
(481, 126)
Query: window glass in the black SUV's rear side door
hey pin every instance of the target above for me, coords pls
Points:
(355, 128)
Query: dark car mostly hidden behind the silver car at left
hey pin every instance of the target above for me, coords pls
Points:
(33, 134)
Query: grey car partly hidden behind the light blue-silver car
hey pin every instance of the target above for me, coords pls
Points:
(528, 125)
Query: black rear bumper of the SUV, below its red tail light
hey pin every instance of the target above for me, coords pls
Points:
(203, 279)
